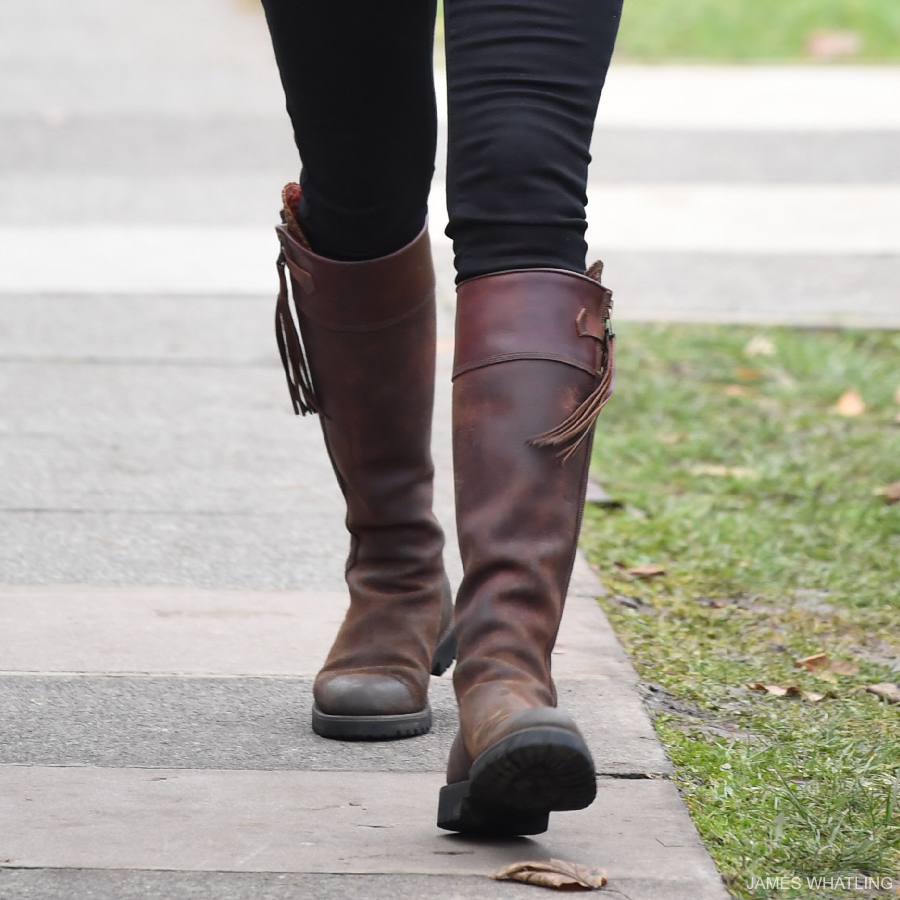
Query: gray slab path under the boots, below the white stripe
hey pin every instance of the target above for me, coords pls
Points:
(172, 558)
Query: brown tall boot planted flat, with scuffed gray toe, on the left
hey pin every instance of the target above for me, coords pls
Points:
(368, 331)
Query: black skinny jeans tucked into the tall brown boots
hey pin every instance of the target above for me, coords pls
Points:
(523, 79)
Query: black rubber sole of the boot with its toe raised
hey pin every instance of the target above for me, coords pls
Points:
(515, 785)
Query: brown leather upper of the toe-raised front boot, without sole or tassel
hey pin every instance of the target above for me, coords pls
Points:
(518, 505)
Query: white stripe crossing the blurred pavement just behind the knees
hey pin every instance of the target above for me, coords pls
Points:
(721, 218)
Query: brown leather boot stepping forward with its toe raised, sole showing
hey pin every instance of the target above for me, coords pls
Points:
(533, 347)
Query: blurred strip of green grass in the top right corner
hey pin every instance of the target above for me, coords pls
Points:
(756, 30)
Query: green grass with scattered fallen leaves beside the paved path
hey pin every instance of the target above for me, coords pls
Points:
(740, 478)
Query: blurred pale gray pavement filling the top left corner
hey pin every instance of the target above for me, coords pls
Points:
(99, 56)
